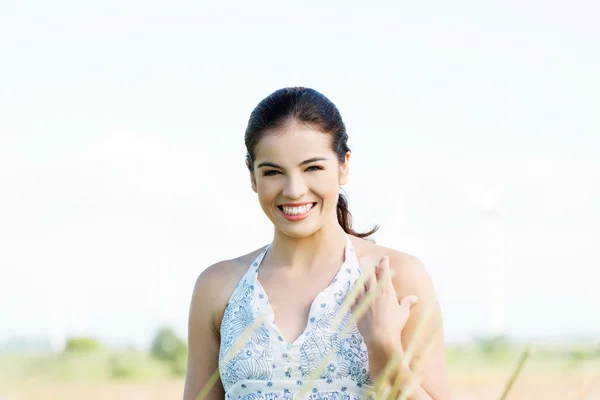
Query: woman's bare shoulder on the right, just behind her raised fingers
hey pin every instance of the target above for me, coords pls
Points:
(410, 276)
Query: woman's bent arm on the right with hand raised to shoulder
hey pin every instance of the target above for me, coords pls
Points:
(390, 327)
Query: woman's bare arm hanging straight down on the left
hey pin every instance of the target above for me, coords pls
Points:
(203, 339)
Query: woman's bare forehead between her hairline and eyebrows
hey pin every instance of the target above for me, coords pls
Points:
(293, 143)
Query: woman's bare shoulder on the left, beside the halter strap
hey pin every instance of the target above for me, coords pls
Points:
(217, 282)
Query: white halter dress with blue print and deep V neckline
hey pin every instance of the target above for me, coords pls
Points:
(264, 366)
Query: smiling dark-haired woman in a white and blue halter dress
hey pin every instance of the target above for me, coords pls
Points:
(268, 320)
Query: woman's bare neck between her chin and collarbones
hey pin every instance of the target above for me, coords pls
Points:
(324, 247)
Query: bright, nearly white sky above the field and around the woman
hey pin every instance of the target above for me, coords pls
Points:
(122, 169)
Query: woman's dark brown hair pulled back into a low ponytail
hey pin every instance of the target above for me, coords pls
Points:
(310, 107)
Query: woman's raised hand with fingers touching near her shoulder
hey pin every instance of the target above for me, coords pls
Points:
(381, 325)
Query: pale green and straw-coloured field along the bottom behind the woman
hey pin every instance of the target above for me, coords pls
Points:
(475, 374)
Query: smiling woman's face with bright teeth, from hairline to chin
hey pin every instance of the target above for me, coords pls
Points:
(297, 177)
